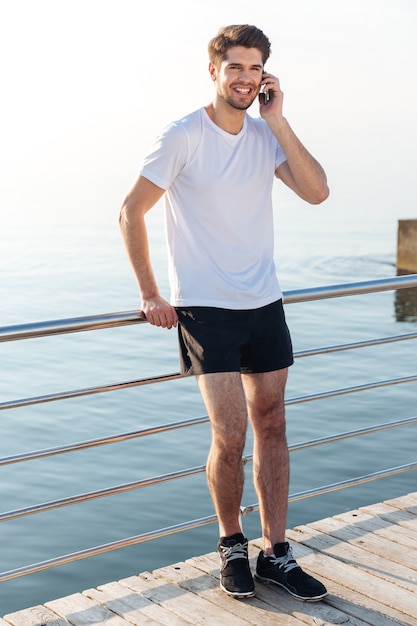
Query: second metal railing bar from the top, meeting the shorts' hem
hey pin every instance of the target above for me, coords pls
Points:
(77, 393)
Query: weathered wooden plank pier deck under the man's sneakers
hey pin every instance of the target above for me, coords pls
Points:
(367, 558)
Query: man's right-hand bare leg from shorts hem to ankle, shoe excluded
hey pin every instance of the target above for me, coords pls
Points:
(265, 404)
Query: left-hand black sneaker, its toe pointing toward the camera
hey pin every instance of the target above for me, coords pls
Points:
(235, 575)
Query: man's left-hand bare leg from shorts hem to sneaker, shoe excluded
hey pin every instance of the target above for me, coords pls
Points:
(225, 402)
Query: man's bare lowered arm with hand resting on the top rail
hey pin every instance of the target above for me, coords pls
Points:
(143, 196)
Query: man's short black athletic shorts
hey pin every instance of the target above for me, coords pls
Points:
(225, 340)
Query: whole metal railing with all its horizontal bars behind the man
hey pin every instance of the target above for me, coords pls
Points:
(64, 326)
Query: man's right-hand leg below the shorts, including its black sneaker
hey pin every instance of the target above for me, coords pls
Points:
(276, 563)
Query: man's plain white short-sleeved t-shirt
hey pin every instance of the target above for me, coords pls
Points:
(218, 204)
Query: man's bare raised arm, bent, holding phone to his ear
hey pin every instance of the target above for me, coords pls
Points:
(300, 172)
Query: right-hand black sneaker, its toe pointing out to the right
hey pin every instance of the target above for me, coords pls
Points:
(283, 570)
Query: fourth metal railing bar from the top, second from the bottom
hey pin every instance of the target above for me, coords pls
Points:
(39, 508)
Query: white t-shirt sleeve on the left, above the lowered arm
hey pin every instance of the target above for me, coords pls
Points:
(166, 157)
